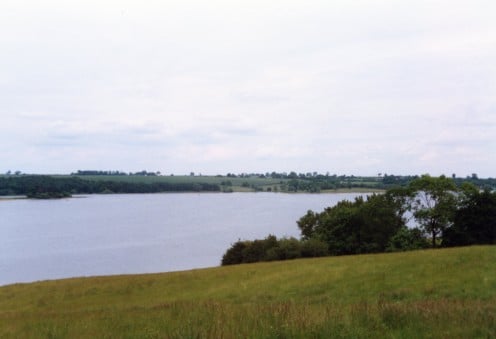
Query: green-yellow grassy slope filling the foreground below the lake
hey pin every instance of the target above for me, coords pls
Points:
(449, 293)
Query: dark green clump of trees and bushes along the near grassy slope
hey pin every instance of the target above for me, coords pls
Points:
(444, 214)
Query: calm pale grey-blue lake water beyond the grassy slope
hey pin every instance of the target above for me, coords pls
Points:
(139, 233)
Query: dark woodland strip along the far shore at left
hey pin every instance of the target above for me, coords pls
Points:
(53, 186)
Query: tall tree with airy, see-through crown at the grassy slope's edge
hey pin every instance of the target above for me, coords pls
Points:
(433, 203)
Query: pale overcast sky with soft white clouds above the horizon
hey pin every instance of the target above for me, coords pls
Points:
(346, 87)
